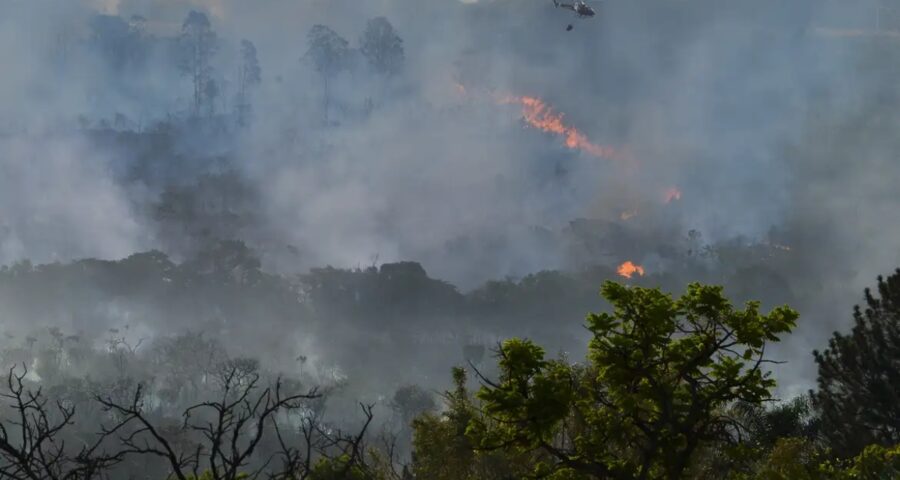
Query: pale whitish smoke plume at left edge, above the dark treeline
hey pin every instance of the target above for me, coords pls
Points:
(58, 202)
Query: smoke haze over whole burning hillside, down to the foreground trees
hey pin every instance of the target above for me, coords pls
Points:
(360, 195)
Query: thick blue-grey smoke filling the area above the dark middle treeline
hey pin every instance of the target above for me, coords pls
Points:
(774, 120)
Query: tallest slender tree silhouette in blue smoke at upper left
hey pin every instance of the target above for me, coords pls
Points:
(198, 44)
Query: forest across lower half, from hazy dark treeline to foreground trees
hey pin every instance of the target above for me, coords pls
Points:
(668, 387)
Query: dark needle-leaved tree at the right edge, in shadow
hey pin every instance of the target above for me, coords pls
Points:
(859, 375)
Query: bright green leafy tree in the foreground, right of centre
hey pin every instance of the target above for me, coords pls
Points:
(654, 389)
